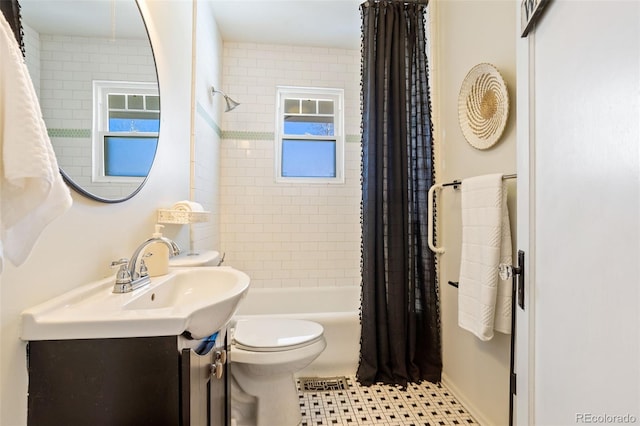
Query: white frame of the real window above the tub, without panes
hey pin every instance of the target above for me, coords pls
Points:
(310, 93)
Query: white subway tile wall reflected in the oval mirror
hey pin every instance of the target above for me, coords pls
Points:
(68, 65)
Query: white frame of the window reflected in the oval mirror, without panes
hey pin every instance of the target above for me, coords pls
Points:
(100, 132)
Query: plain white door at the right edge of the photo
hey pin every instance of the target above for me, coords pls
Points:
(579, 215)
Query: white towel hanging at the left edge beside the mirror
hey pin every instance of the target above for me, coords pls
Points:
(32, 192)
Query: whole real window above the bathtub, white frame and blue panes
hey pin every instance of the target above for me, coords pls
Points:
(309, 135)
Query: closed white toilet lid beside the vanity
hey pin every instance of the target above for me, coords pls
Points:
(272, 334)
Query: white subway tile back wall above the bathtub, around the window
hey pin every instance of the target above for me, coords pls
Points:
(287, 235)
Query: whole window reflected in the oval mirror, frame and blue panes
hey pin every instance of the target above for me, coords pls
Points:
(126, 124)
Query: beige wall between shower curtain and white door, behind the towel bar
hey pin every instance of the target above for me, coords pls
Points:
(466, 33)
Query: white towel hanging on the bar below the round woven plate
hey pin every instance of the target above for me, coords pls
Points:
(484, 300)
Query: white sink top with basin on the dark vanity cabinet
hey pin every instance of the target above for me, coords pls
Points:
(198, 301)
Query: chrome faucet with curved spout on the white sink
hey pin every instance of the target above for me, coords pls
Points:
(130, 276)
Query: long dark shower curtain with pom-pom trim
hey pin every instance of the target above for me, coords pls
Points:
(400, 316)
